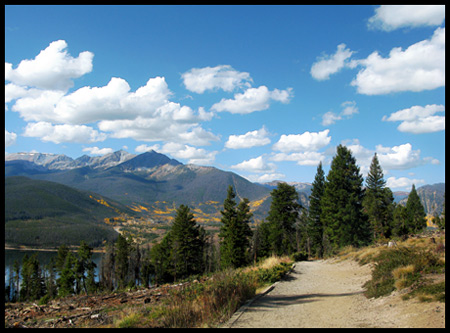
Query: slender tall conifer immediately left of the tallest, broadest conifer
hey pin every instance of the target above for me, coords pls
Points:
(315, 225)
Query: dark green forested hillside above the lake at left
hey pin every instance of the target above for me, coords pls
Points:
(42, 213)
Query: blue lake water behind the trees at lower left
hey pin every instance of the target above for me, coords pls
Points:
(44, 258)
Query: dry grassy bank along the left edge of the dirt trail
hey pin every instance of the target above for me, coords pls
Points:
(210, 303)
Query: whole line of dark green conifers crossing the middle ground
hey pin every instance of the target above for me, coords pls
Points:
(342, 211)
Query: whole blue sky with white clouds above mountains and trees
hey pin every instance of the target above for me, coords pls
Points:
(267, 92)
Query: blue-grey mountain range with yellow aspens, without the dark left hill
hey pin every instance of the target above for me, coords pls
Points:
(153, 185)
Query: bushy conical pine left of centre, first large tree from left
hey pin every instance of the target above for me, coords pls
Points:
(187, 244)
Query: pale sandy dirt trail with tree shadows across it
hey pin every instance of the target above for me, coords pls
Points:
(327, 293)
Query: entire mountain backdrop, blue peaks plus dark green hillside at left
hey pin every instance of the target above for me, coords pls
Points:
(63, 196)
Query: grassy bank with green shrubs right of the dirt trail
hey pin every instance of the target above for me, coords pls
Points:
(415, 267)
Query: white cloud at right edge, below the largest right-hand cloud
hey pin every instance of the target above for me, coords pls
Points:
(419, 119)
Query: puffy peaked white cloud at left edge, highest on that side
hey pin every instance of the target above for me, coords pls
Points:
(52, 69)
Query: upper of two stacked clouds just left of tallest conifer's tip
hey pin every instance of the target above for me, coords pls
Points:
(302, 142)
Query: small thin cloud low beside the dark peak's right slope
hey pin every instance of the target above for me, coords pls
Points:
(197, 156)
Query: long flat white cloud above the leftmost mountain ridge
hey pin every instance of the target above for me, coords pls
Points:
(63, 133)
